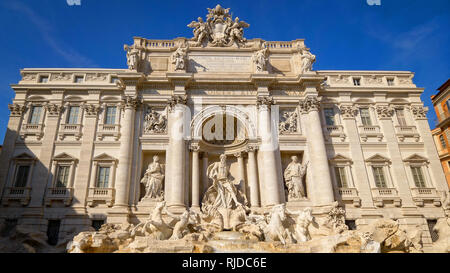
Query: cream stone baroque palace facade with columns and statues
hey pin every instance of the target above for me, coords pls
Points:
(227, 127)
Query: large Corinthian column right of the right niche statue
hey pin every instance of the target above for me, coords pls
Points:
(321, 185)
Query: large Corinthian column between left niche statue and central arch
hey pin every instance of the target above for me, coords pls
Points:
(177, 152)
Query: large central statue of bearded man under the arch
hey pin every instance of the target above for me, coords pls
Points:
(223, 192)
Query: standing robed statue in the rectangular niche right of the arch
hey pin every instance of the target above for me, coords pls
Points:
(293, 175)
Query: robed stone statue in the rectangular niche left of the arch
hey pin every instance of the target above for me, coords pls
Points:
(153, 179)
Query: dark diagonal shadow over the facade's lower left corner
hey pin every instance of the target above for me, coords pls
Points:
(36, 213)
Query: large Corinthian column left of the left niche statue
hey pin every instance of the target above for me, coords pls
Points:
(125, 152)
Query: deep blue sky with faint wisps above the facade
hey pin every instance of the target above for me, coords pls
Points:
(410, 35)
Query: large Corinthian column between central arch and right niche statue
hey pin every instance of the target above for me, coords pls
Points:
(271, 187)
